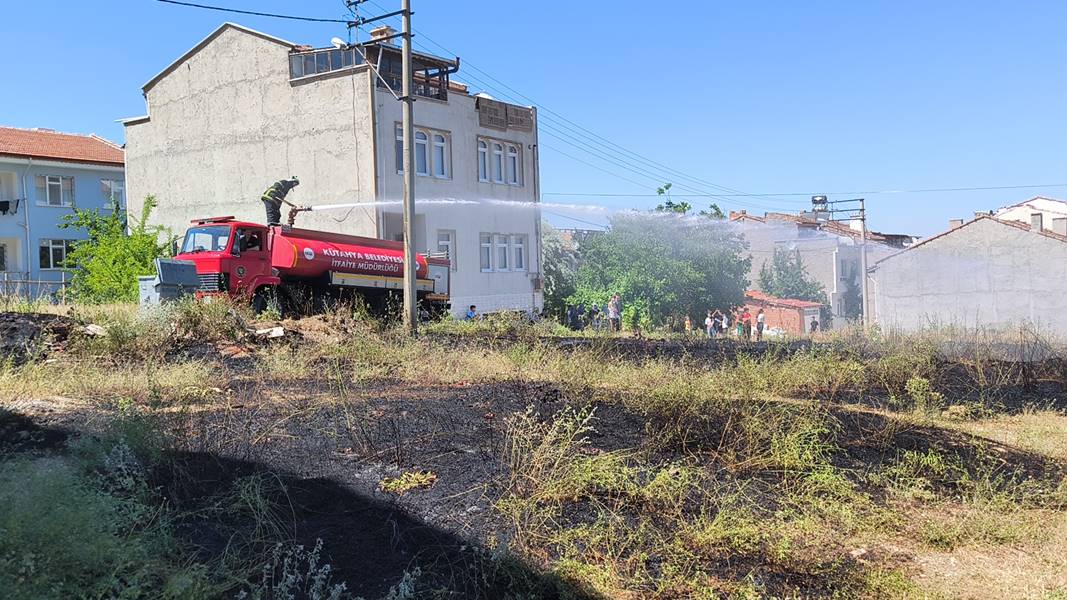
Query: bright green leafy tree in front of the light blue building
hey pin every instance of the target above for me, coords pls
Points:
(106, 266)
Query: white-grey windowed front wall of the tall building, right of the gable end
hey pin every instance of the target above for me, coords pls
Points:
(518, 215)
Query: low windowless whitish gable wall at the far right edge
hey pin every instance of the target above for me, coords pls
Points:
(986, 274)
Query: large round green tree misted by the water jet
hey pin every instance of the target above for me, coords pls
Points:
(663, 266)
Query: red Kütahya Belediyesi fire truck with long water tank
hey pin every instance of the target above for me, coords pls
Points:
(257, 263)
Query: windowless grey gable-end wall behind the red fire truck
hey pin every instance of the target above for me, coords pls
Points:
(228, 123)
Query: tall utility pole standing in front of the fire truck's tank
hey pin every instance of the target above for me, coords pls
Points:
(410, 294)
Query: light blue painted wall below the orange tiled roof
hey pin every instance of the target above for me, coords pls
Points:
(19, 181)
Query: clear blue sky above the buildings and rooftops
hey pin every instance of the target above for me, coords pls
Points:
(774, 97)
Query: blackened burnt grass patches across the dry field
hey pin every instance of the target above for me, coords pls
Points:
(328, 460)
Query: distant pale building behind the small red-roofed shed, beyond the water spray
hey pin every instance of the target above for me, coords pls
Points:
(830, 250)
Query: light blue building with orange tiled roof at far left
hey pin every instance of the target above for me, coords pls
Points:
(44, 176)
